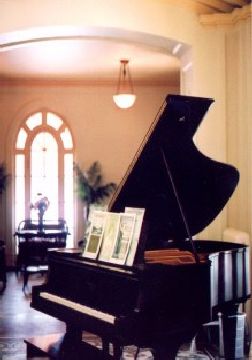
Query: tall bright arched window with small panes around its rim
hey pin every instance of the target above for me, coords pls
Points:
(44, 165)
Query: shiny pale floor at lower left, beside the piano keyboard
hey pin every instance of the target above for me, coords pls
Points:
(18, 320)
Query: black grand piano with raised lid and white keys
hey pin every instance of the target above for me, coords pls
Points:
(176, 284)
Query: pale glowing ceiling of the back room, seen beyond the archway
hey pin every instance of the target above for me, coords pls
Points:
(82, 59)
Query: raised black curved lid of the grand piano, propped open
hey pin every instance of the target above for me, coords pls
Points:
(181, 189)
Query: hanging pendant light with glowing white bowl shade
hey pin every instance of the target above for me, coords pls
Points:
(124, 97)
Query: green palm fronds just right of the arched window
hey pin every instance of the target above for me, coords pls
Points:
(90, 184)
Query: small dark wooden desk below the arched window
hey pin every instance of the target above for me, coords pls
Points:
(34, 242)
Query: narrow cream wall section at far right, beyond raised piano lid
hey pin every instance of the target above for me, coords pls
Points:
(239, 116)
